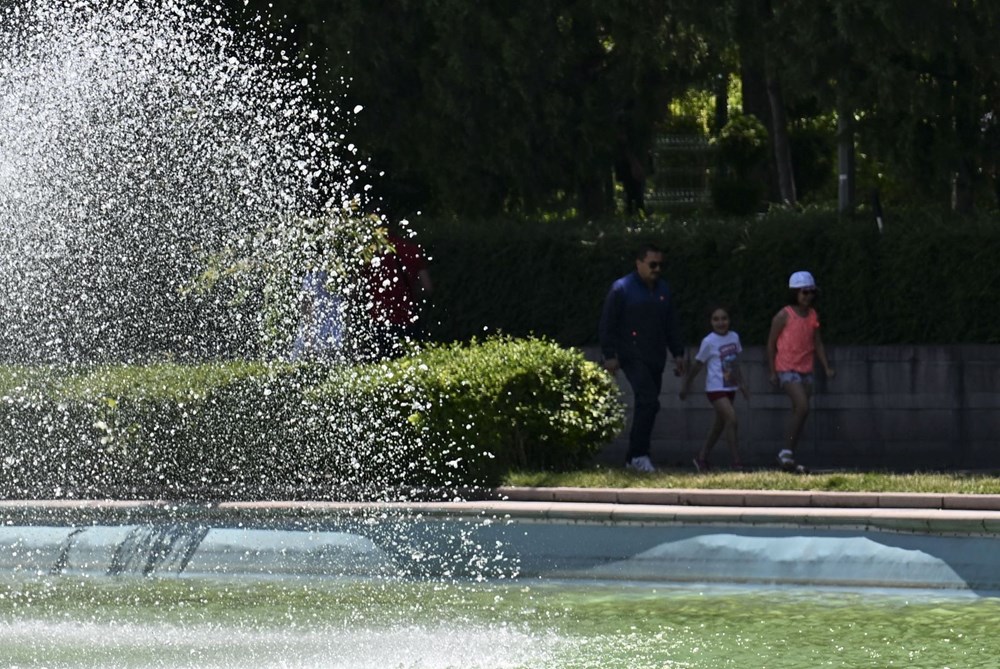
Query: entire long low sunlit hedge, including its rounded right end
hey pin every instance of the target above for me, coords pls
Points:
(445, 417)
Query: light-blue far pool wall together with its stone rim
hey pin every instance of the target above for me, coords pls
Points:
(869, 546)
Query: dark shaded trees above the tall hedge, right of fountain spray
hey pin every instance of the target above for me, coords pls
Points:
(483, 109)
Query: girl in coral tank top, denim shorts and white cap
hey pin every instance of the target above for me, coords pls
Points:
(792, 346)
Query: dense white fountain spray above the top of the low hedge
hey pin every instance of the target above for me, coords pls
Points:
(135, 139)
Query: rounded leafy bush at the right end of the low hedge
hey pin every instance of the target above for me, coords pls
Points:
(472, 412)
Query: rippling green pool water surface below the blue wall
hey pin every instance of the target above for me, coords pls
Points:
(316, 623)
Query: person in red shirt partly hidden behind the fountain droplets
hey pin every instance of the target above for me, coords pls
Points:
(399, 284)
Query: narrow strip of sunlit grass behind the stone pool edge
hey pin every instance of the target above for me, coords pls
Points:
(606, 477)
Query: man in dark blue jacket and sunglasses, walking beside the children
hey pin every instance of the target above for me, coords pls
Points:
(638, 325)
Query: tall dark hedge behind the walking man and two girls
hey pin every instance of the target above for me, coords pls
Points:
(926, 279)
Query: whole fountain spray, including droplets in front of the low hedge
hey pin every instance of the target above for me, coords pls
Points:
(138, 139)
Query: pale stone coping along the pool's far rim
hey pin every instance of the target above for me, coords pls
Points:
(914, 512)
